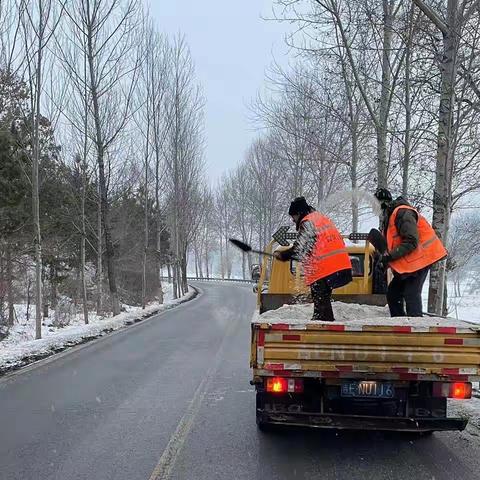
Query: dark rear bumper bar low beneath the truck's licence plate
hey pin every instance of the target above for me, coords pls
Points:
(357, 422)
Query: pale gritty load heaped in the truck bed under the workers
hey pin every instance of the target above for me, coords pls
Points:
(352, 313)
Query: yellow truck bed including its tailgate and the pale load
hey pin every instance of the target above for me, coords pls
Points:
(364, 342)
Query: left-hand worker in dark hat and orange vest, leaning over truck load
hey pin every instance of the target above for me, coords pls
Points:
(321, 249)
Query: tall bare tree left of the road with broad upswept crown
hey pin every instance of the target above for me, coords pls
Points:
(105, 31)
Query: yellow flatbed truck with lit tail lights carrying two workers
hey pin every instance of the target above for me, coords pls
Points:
(370, 374)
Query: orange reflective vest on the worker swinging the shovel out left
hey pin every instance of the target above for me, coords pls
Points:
(329, 253)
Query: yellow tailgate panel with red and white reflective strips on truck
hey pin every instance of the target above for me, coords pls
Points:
(383, 351)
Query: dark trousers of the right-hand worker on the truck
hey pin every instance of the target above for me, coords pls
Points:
(404, 294)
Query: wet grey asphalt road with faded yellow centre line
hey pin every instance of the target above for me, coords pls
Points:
(170, 398)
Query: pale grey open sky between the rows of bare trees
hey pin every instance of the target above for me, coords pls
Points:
(231, 46)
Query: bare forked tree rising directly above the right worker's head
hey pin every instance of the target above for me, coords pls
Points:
(354, 25)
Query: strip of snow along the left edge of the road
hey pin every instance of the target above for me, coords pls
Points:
(20, 347)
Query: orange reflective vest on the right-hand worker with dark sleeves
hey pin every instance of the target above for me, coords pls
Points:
(430, 248)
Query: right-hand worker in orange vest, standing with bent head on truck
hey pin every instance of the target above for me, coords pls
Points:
(413, 247)
